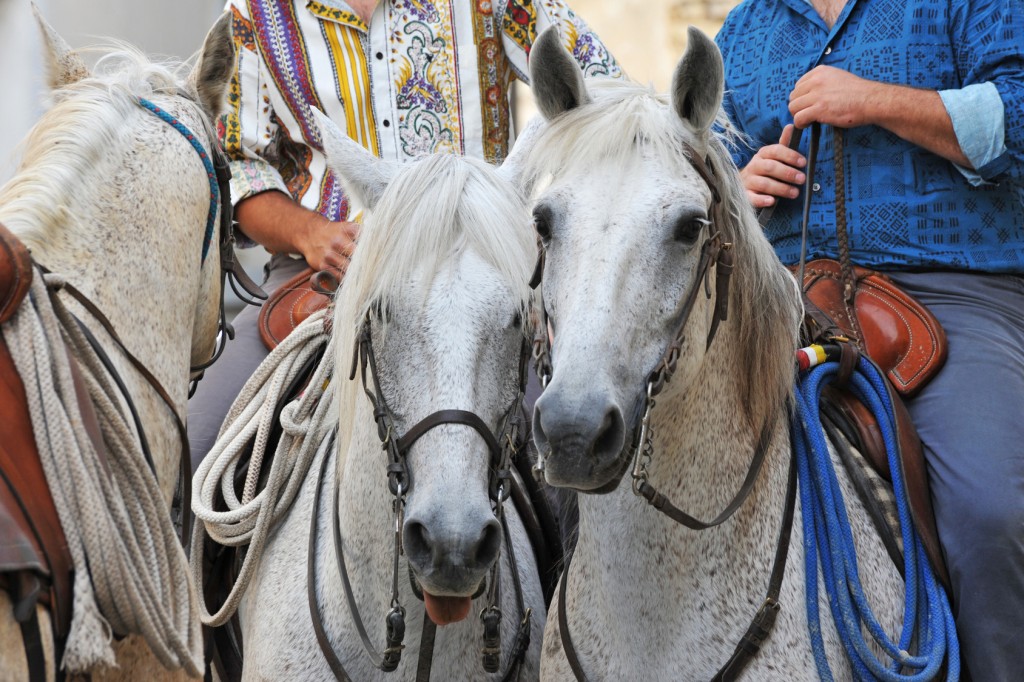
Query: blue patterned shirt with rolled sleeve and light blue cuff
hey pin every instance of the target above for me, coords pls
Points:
(907, 207)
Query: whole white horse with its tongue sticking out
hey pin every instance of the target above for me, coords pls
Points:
(441, 279)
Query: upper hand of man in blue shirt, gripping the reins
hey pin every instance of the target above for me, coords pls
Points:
(834, 97)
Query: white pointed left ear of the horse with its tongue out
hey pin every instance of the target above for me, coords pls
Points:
(364, 176)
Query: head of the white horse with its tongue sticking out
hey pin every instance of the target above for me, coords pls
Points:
(437, 296)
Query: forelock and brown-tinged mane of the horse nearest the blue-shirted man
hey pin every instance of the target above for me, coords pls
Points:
(764, 306)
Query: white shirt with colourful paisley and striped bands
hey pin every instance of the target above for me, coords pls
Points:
(424, 76)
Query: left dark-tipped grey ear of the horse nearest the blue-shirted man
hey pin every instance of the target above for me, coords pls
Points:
(556, 77)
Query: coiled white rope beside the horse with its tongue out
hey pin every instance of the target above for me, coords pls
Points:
(306, 423)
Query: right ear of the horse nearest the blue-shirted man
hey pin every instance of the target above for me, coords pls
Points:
(699, 82)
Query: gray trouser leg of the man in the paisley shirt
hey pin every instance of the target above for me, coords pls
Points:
(224, 381)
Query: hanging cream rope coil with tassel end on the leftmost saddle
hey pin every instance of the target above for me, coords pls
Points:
(131, 571)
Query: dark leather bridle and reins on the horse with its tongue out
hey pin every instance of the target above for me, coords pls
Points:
(401, 482)
